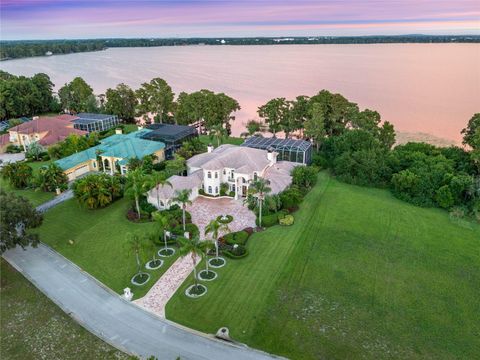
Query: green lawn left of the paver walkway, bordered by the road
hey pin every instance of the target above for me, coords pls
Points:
(100, 244)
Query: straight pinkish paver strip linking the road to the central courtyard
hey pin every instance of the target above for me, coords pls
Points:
(158, 296)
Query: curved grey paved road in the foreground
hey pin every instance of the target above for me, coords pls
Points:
(118, 322)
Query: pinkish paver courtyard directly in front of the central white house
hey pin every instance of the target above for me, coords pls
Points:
(204, 210)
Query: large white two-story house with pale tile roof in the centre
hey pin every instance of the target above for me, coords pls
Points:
(236, 166)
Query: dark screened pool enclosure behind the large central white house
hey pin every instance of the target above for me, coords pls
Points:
(299, 151)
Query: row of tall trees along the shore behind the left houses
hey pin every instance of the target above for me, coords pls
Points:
(154, 100)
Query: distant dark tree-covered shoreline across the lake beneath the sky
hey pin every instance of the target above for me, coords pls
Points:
(20, 49)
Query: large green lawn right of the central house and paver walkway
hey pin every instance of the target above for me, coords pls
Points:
(359, 275)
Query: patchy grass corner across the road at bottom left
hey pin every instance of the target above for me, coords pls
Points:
(33, 327)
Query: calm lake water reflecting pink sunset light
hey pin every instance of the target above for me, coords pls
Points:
(430, 88)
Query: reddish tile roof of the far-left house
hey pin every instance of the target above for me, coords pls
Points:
(56, 127)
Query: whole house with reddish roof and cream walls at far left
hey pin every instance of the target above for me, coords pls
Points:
(44, 130)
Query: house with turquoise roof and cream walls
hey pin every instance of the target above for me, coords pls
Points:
(111, 155)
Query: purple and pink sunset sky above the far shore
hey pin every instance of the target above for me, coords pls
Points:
(62, 19)
